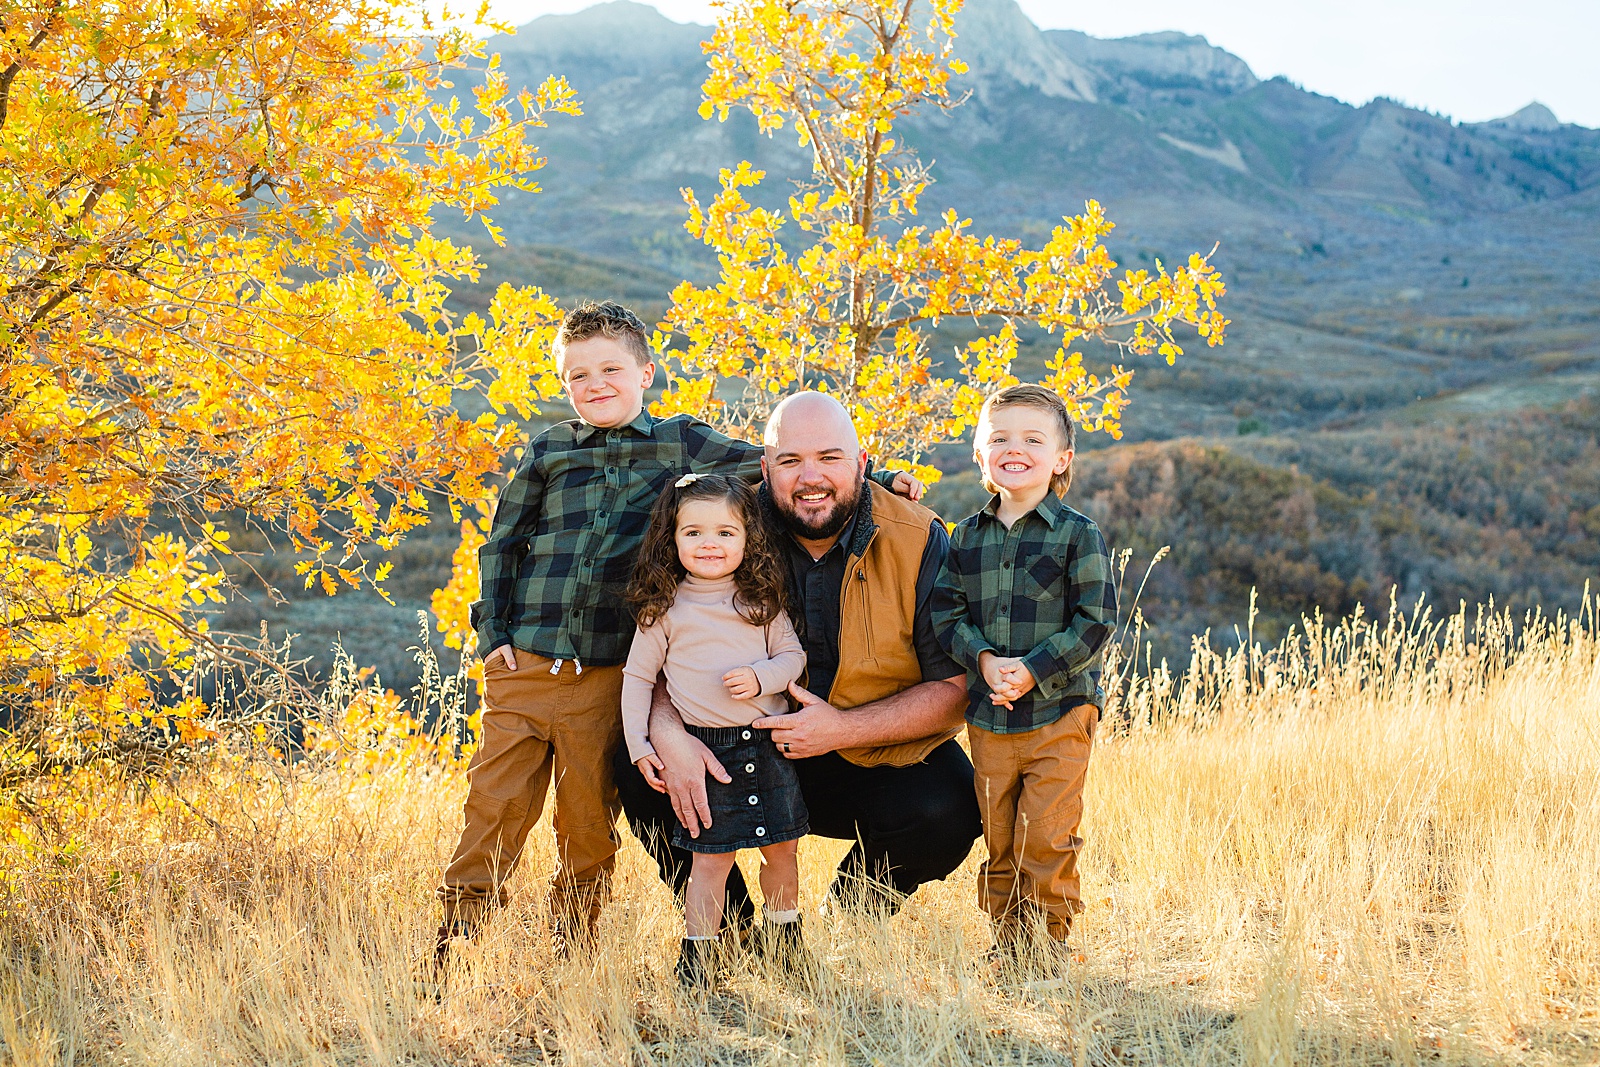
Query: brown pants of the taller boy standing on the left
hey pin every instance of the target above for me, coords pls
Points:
(538, 725)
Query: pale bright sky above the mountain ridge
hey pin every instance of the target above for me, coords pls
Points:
(1471, 60)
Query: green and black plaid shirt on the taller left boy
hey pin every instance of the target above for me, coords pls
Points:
(570, 524)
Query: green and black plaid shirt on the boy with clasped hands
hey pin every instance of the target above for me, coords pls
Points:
(1041, 591)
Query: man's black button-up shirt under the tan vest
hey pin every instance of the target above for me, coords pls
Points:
(815, 588)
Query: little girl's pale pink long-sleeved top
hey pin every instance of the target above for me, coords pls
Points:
(697, 642)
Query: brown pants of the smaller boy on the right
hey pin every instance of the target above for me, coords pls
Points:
(1031, 796)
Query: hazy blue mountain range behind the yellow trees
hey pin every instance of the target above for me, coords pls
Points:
(1377, 257)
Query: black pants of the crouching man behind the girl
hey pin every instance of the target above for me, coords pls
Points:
(910, 825)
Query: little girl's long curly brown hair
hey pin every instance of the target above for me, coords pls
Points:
(761, 583)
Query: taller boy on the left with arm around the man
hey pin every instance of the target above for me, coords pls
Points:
(554, 628)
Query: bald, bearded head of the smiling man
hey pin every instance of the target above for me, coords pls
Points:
(814, 465)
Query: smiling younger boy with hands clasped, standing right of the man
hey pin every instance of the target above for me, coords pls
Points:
(1026, 602)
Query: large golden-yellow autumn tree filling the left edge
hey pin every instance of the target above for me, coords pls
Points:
(222, 294)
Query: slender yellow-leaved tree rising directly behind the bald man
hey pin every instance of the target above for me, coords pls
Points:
(842, 290)
